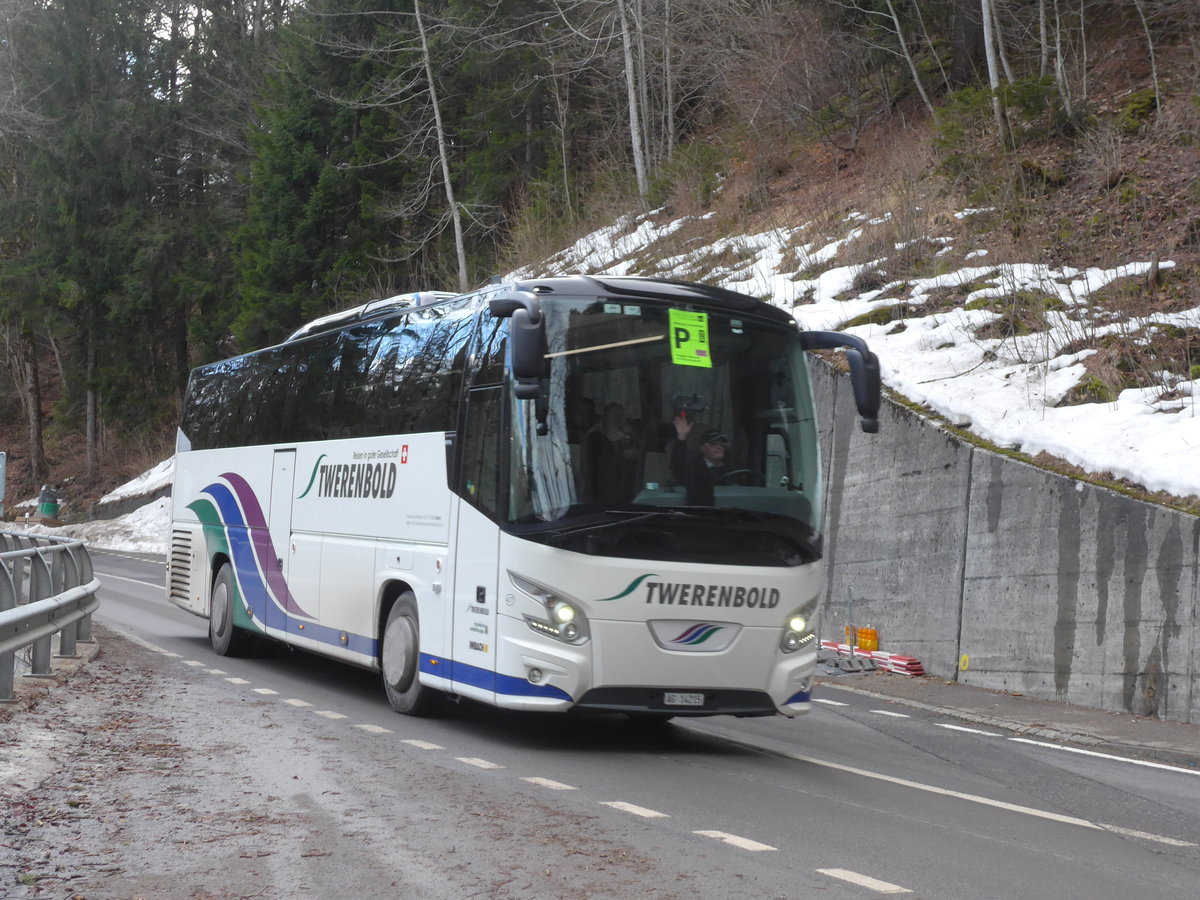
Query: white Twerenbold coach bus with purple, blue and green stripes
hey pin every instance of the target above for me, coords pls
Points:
(573, 493)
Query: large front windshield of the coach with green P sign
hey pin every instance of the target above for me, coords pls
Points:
(667, 433)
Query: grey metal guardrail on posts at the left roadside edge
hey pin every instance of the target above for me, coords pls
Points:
(47, 586)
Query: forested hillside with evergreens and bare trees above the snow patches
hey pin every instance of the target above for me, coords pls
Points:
(184, 182)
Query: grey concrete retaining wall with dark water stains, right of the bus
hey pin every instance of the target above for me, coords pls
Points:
(1001, 575)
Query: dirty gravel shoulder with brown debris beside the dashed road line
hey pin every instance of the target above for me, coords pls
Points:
(131, 782)
